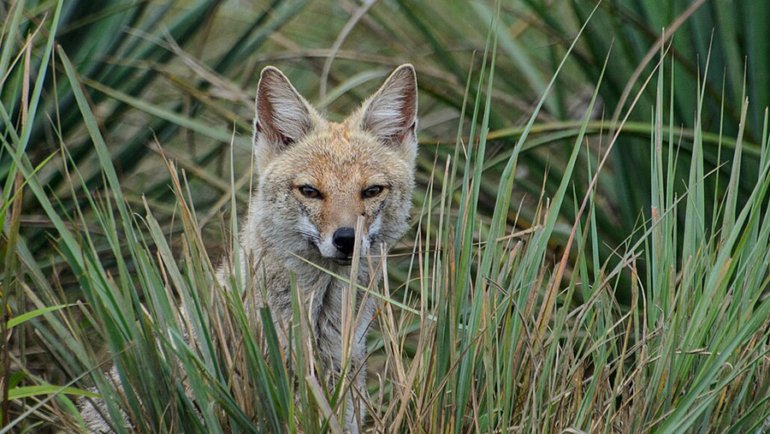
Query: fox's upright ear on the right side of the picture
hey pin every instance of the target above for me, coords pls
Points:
(391, 113)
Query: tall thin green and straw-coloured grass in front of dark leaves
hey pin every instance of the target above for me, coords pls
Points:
(497, 314)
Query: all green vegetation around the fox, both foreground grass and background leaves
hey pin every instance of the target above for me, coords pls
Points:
(590, 247)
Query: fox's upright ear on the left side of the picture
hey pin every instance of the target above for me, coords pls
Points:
(282, 115)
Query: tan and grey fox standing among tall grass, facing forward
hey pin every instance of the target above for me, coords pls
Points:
(330, 197)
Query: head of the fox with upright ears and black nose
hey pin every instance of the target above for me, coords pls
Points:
(317, 177)
